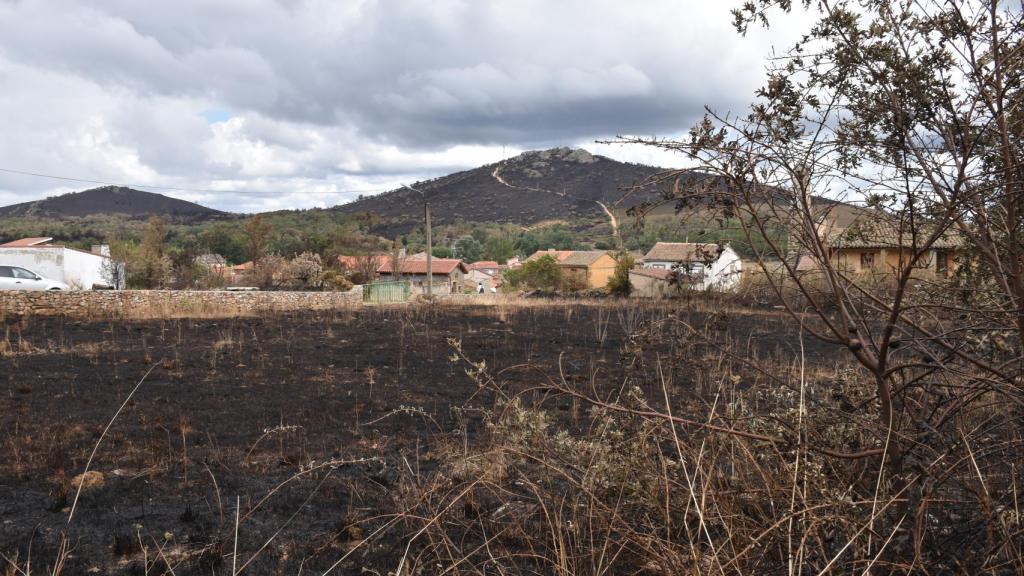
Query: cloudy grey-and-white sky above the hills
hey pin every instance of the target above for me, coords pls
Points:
(258, 105)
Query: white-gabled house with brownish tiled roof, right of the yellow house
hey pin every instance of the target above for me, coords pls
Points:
(714, 267)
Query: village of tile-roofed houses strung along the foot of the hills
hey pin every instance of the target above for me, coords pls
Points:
(668, 270)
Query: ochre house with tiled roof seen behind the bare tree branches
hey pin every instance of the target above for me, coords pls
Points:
(880, 244)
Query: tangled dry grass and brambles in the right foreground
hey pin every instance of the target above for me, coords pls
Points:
(763, 467)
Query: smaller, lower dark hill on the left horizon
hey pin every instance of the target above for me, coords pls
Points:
(113, 201)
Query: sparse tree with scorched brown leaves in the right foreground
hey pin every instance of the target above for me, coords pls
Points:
(913, 108)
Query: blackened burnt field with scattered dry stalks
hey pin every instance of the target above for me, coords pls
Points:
(298, 427)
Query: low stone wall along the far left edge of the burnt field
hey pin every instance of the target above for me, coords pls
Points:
(168, 304)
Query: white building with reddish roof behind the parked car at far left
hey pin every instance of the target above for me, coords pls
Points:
(78, 269)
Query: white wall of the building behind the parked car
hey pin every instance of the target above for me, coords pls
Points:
(75, 268)
